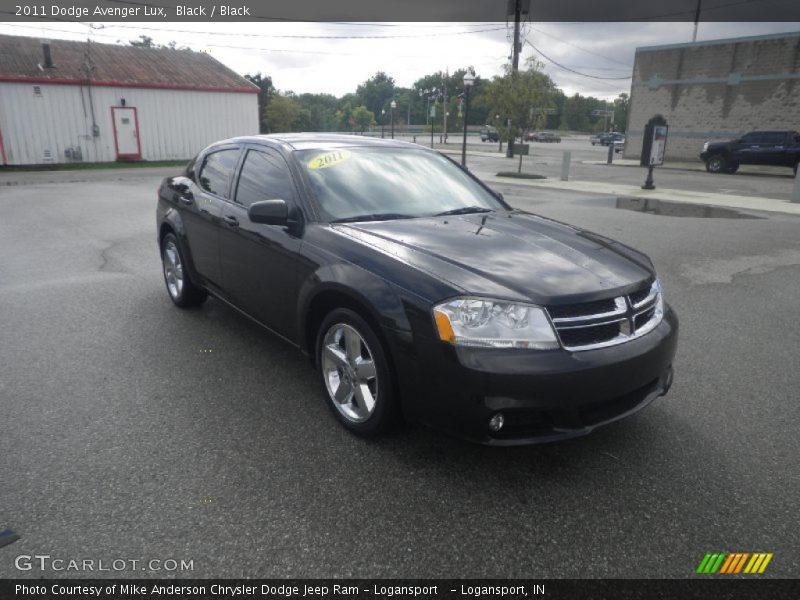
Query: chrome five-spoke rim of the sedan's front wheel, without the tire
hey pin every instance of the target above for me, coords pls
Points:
(349, 372)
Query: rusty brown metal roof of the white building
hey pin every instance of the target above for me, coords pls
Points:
(124, 66)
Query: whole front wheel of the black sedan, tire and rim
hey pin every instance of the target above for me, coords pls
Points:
(355, 374)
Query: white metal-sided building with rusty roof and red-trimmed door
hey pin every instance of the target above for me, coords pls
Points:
(64, 101)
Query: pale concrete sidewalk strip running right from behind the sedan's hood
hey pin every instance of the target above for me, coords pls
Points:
(634, 191)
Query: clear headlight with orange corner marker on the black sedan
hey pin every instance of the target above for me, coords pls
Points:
(493, 324)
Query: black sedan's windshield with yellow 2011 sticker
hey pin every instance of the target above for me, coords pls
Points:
(390, 183)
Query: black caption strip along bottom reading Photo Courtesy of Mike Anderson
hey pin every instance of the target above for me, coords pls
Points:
(716, 588)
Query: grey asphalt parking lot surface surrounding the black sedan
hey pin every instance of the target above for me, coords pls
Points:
(130, 429)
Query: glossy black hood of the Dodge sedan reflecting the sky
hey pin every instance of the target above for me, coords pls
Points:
(509, 254)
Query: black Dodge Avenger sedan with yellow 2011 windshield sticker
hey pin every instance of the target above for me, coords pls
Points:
(417, 290)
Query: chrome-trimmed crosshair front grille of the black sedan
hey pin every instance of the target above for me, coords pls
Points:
(607, 322)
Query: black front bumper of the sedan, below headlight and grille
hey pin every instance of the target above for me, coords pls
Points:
(544, 396)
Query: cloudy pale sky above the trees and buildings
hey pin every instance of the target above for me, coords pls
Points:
(336, 57)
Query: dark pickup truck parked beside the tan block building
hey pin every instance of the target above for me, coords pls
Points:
(779, 148)
